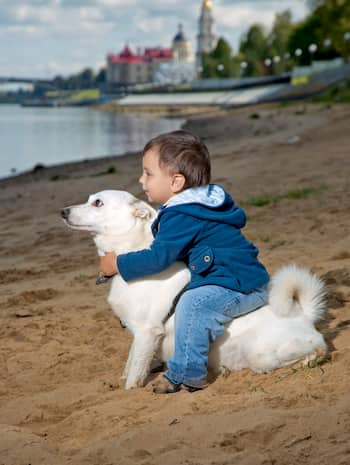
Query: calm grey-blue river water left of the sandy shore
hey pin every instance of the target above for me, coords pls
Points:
(49, 136)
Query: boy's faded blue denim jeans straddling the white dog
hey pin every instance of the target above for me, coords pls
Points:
(200, 318)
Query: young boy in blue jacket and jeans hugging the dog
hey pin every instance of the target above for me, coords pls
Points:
(199, 224)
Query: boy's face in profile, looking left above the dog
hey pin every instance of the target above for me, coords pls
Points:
(159, 185)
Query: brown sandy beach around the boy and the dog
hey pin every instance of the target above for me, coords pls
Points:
(63, 351)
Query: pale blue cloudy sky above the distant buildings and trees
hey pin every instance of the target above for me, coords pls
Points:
(43, 38)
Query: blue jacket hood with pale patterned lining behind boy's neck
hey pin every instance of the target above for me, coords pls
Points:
(209, 202)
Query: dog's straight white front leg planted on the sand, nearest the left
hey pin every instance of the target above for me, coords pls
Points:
(146, 343)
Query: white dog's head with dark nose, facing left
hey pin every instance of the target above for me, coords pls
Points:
(109, 212)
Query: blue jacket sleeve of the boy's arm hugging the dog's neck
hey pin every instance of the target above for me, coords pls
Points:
(176, 233)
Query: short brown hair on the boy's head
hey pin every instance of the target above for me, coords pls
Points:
(184, 153)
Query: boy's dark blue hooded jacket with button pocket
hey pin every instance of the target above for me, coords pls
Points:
(201, 226)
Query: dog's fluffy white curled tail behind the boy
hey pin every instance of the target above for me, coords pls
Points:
(295, 291)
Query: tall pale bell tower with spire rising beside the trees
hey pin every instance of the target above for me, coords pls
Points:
(206, 39)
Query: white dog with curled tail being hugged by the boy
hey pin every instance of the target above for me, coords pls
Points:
(274, 336)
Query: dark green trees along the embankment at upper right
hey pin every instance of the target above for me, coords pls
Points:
(323, 34)
